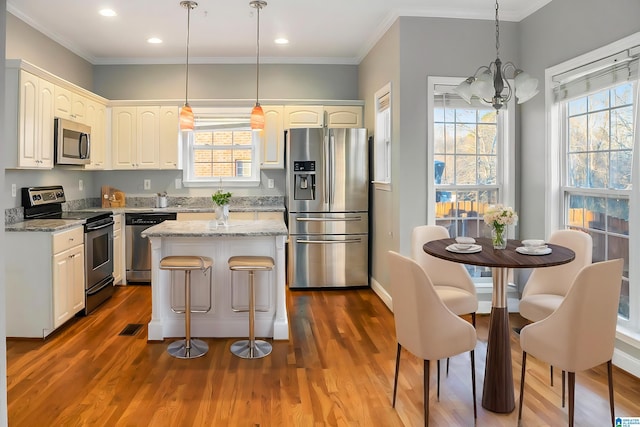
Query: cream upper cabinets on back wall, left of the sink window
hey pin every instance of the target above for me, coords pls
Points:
(140, 134)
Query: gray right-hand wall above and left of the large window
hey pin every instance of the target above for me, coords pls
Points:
(561, 30)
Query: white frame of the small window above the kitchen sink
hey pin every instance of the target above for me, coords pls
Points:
(187, 143)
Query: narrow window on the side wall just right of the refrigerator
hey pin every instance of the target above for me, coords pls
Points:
(382, 138)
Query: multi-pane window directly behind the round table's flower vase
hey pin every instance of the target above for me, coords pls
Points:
(470, 156)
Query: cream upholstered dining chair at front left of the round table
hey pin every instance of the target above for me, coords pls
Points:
(424, 324)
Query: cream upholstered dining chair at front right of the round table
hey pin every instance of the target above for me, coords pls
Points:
(580, 333)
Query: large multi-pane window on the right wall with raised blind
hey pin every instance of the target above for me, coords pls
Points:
(594, 134)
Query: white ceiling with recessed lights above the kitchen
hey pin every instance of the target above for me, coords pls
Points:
(224, 31)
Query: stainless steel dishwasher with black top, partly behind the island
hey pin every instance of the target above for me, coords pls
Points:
(138, 253)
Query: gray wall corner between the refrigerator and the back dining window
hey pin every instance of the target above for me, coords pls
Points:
(426, 47)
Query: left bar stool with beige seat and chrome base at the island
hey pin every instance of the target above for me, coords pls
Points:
(188, 348)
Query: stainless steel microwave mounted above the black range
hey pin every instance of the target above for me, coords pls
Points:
(72, 142)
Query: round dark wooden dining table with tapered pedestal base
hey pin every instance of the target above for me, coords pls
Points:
(498, 394)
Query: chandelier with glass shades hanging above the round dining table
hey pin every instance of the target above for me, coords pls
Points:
(490, 83)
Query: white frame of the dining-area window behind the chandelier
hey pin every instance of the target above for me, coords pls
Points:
(505, 181)
